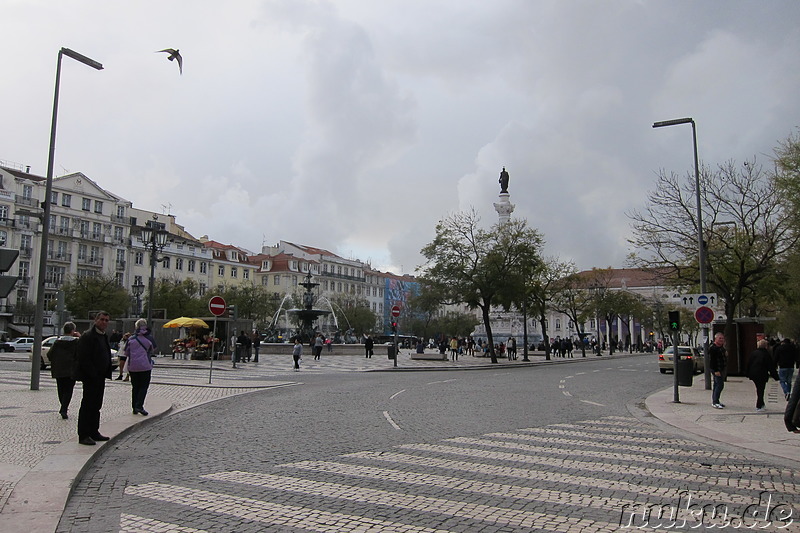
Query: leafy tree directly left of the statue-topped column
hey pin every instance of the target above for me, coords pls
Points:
(471, 265)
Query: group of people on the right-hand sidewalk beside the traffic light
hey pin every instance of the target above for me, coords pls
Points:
(777, 362)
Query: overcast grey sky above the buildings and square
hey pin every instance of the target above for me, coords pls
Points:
(355, 125)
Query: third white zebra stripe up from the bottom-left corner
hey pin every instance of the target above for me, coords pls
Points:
(414, 502)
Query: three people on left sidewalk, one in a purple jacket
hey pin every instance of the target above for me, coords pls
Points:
(87, 358)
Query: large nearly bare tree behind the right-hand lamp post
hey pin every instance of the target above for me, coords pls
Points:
(745, 225)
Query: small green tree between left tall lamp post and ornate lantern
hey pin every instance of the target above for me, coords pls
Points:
(92, 293)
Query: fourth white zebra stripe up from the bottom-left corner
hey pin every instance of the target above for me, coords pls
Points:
(487, 488)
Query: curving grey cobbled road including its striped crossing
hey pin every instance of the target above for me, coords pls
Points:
(541, 448)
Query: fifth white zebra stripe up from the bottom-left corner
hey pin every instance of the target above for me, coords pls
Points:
(549, 477)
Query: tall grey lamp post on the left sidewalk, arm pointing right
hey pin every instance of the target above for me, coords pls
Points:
(38, 325)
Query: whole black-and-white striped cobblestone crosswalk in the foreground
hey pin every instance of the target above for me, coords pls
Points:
(609, 474)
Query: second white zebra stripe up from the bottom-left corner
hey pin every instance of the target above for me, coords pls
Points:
(286, 516)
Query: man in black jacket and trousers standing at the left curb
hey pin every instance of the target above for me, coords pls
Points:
(94, 367)
